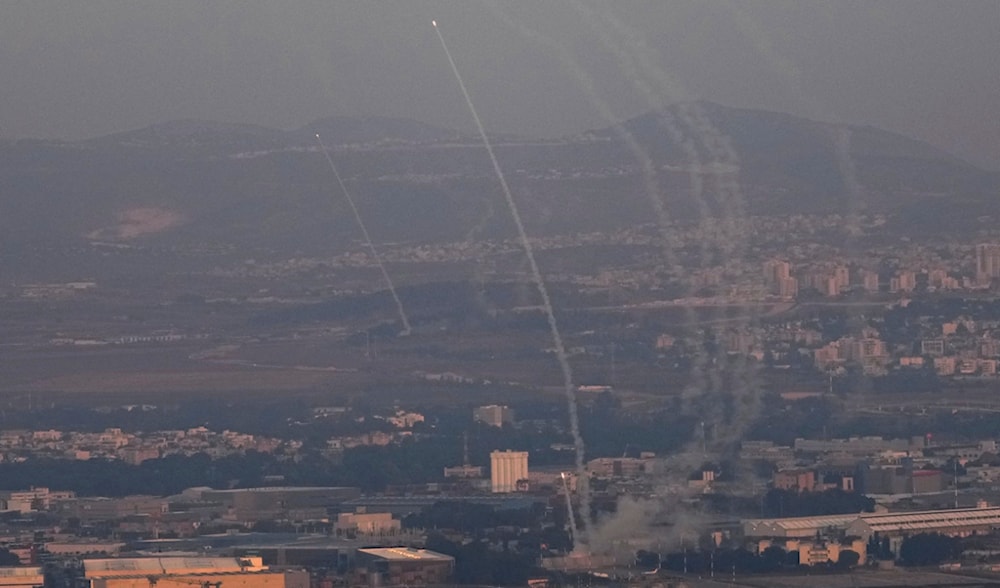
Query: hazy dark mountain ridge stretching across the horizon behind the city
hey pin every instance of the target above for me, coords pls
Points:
(244, 186)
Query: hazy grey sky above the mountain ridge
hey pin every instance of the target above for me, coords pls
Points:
(926, 68)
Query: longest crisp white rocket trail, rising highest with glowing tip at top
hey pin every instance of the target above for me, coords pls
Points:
(536, 274)
